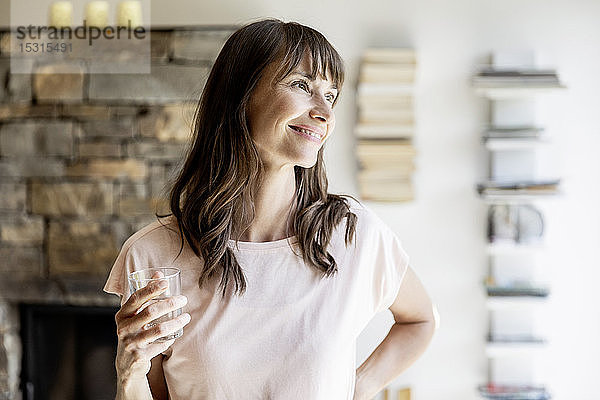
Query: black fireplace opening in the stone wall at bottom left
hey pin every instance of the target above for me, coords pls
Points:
(68, 352)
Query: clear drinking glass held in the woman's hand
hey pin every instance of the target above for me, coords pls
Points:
(141, 278)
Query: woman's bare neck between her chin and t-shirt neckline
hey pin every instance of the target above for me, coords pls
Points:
(274, 205)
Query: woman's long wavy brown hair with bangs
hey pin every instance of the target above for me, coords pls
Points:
(222, 169)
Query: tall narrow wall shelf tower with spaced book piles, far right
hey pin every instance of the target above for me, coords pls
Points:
(515, 182)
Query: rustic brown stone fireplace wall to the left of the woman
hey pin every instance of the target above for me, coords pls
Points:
(84, 163)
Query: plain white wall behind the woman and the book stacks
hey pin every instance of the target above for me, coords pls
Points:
(443, 230)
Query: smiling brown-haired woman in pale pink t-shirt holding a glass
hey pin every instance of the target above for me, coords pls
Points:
(279, 277)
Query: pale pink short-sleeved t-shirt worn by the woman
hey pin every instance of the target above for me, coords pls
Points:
(292, 335)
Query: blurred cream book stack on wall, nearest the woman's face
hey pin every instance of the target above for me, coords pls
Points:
(386, 124)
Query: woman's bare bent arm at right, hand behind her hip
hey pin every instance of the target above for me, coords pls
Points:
(415, 322)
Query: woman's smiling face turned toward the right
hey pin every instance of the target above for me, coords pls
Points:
(290, 120)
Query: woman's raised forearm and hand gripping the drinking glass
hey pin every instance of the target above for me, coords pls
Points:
(135, 348)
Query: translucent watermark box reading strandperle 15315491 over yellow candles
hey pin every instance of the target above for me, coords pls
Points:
(102, 36)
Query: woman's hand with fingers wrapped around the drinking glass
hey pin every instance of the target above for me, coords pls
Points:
(135, 346)
